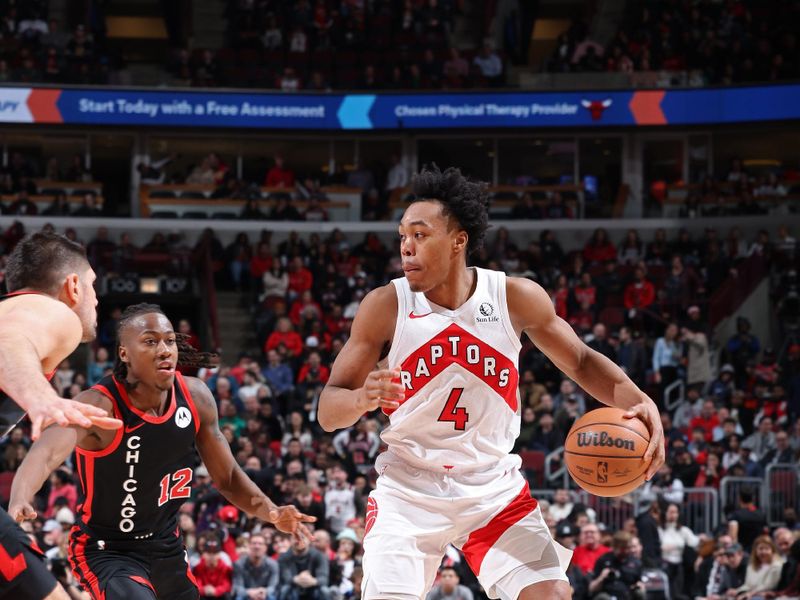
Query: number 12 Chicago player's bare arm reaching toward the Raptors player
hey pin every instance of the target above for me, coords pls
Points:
(229, 478)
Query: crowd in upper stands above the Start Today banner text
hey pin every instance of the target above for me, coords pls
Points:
(323, 45)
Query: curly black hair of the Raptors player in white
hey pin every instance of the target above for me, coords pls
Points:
(466, 201)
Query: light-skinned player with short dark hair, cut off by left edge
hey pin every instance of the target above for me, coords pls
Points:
(49, 310)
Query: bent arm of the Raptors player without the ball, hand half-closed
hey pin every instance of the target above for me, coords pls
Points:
(354, 387)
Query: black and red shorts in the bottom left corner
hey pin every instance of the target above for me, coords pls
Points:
(23, 573)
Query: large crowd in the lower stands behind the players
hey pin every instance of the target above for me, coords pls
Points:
(639, 303)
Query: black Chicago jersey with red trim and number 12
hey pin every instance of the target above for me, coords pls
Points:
(133, 489)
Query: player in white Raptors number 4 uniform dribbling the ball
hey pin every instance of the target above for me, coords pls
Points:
(451, 393)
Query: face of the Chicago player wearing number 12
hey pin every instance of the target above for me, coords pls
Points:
(149, 348)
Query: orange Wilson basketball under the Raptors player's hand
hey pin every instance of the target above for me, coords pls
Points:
(604, 452)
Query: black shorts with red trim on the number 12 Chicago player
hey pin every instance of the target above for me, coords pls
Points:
(132, 570)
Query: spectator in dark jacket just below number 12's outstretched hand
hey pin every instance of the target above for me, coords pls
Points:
(304, 572)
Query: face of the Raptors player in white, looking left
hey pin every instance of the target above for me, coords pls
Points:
(428, 241)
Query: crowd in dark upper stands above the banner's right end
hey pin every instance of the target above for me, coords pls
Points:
(741, 41)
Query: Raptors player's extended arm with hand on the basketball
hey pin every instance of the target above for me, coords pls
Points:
(532, 312)
